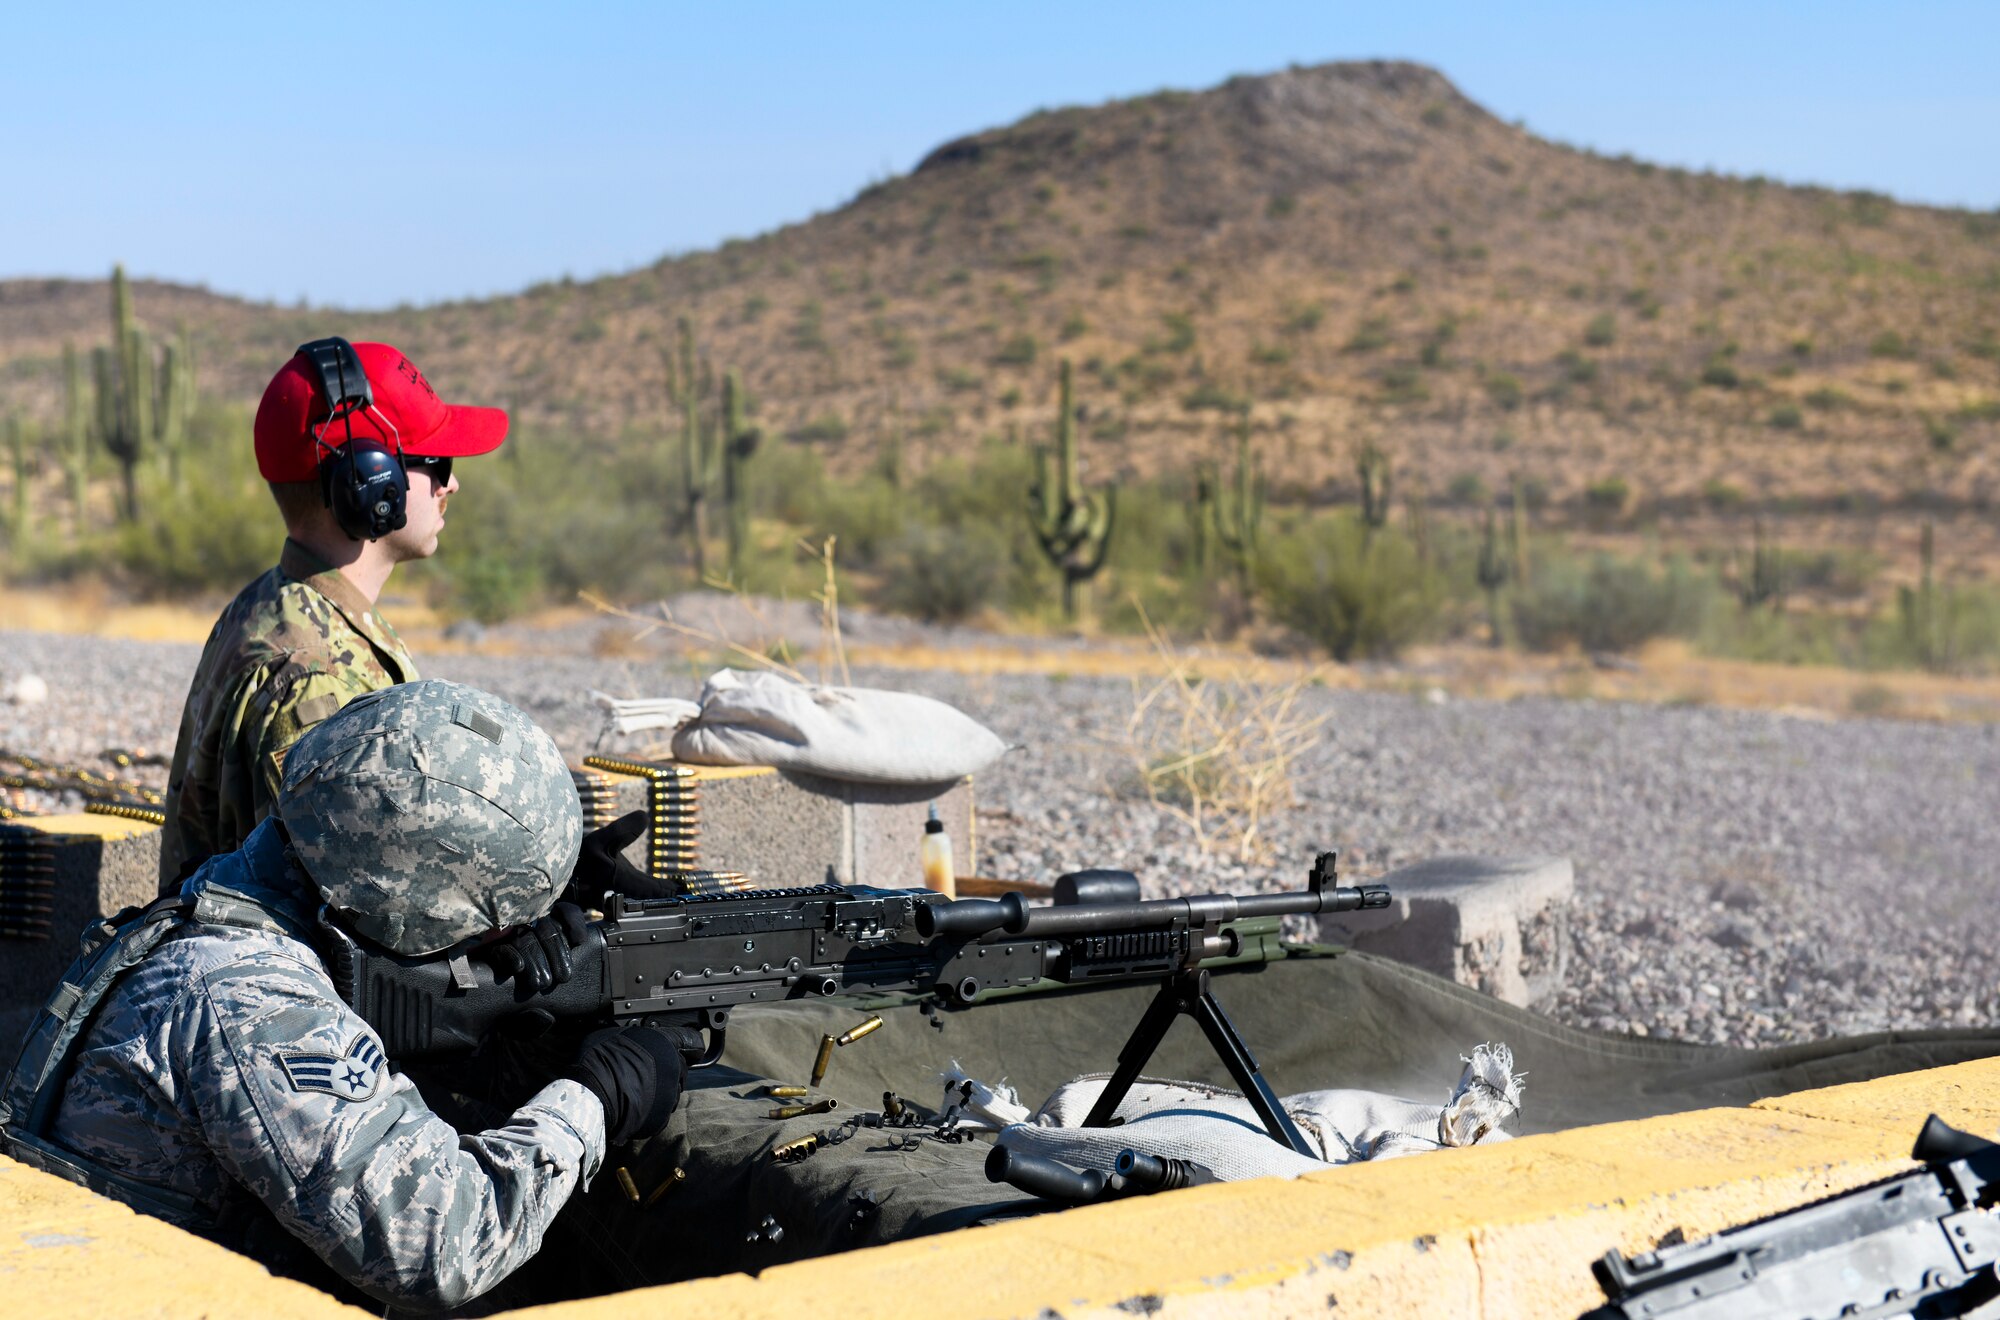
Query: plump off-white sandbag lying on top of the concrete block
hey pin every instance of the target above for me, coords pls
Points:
(861, 735)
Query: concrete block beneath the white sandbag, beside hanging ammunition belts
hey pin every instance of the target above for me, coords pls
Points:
(785, 829)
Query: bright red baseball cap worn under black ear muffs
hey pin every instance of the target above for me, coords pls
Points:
(407, 415)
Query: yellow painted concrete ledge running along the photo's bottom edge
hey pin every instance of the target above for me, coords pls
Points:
(1499, 1231)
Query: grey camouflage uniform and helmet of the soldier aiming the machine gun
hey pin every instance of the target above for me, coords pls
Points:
(225, 1069)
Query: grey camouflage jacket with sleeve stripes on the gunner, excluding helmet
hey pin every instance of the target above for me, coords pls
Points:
(227, 1063)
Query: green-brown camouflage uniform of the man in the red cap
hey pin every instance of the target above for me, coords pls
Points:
(293, 649)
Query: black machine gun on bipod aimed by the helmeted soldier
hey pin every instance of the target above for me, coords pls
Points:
(697, 959)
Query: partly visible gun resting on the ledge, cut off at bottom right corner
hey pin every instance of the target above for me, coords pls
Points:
(1919, 1245)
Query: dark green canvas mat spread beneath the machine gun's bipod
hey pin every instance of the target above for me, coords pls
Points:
(1315, 1021)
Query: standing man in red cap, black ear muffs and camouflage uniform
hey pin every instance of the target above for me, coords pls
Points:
(359, 453)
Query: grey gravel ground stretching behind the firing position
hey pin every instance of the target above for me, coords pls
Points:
(1743, 879)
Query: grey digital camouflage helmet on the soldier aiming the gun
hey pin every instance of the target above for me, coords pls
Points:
(431, 813)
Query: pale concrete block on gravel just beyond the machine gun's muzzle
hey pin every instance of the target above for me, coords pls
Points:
(1495, 925)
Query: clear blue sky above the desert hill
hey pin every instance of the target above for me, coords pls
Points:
(413, 153)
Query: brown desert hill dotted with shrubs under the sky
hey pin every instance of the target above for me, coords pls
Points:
(1337, 253)
